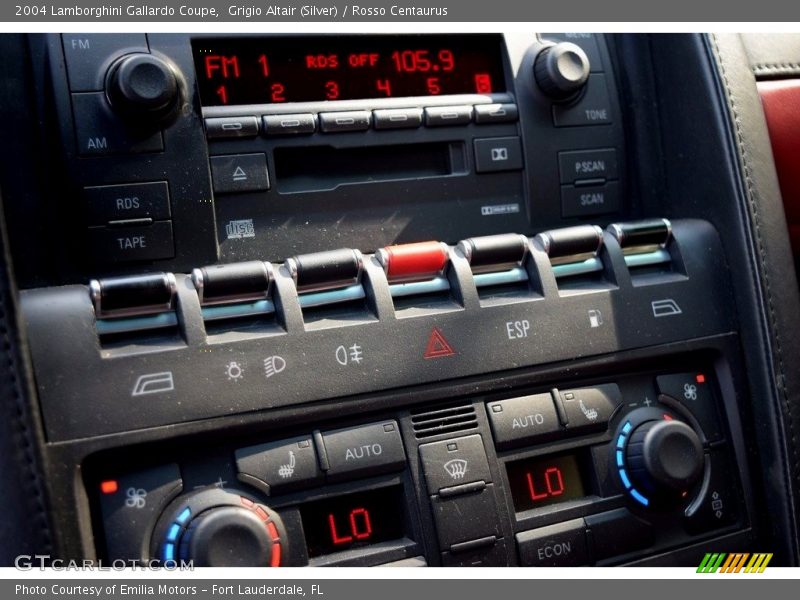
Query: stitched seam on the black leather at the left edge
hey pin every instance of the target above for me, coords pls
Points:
(26, 434)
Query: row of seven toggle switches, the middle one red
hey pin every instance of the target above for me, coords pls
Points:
(334, 278)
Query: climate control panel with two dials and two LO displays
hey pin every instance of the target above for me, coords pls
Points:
(604, 472)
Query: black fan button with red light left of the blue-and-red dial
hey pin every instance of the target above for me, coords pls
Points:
(130, 506)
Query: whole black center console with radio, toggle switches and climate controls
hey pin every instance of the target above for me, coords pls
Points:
(376, 299)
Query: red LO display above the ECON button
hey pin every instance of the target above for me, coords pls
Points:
(545, 480)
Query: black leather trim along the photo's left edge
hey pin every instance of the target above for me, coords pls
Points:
(24, 518)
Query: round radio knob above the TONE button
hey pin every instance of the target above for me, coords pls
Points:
(561, 70)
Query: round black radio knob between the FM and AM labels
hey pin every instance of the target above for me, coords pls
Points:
(143, 87)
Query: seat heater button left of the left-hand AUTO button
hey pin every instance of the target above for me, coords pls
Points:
(282, 465)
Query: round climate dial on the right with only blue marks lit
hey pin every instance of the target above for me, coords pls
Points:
(659, 458)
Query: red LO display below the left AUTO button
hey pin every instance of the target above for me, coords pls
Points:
(353, 521)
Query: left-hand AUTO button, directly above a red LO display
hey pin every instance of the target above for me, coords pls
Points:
(363, 450)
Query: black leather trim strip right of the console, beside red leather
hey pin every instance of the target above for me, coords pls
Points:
(774, 266)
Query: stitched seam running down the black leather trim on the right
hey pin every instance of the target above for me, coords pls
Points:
(752, 197)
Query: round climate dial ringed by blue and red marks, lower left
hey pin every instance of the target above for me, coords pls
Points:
(220, 528)
